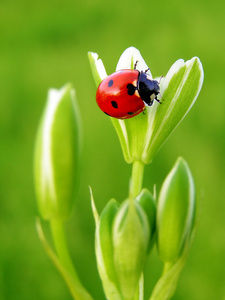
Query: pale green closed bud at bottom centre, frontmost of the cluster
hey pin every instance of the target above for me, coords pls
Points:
(130, 242)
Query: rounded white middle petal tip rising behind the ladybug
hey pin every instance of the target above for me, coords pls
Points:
(129, 58)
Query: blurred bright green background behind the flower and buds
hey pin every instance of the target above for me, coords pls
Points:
(44, 44)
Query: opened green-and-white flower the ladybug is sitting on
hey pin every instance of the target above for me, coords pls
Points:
(143, 135)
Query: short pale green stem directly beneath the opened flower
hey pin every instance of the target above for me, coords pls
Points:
(137, 178)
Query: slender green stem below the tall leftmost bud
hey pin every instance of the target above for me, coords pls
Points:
(78, 291)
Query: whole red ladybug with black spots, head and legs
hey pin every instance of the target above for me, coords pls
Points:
(125, 93)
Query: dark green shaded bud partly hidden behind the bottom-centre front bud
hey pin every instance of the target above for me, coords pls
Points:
(147, 202)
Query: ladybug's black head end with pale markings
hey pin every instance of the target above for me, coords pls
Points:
(148, 89)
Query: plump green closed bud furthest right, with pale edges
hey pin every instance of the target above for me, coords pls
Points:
(176, 212)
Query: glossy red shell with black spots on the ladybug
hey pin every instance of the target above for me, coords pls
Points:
(117, 95)
